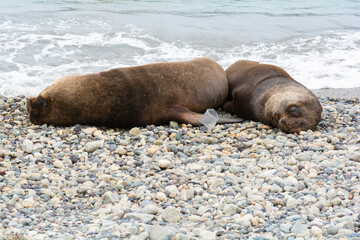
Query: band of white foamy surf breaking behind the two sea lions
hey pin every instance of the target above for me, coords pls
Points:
(30, 61)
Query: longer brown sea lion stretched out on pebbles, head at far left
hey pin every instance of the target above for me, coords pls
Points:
(134, 96)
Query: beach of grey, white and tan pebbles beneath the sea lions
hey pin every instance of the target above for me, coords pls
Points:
(176, 181)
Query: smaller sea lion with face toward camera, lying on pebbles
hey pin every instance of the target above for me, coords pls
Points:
(268, 94)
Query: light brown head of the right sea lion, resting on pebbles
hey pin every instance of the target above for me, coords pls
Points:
(293, 110)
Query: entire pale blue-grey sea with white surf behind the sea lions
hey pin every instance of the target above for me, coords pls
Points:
(317, 42)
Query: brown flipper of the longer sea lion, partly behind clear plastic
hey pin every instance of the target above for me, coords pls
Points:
(184, 115)
